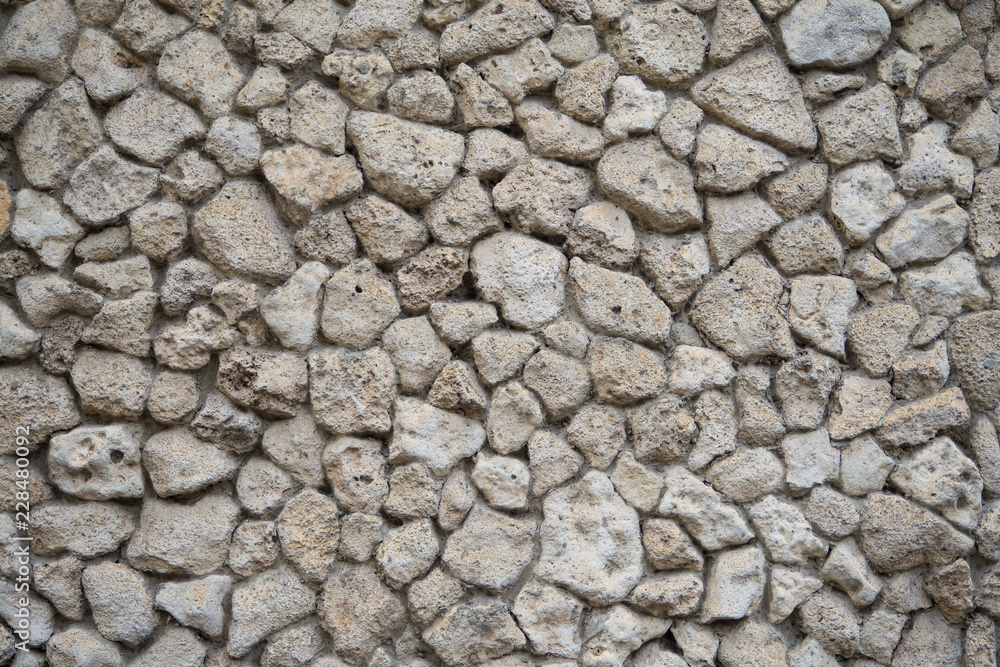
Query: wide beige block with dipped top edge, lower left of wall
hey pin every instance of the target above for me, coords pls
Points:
(192, 539)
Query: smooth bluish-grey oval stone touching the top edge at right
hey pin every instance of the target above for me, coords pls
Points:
(840, 34)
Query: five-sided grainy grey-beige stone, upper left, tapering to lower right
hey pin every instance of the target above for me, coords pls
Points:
(199, 70)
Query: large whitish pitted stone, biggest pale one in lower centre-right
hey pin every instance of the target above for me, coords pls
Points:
(590, 541)
